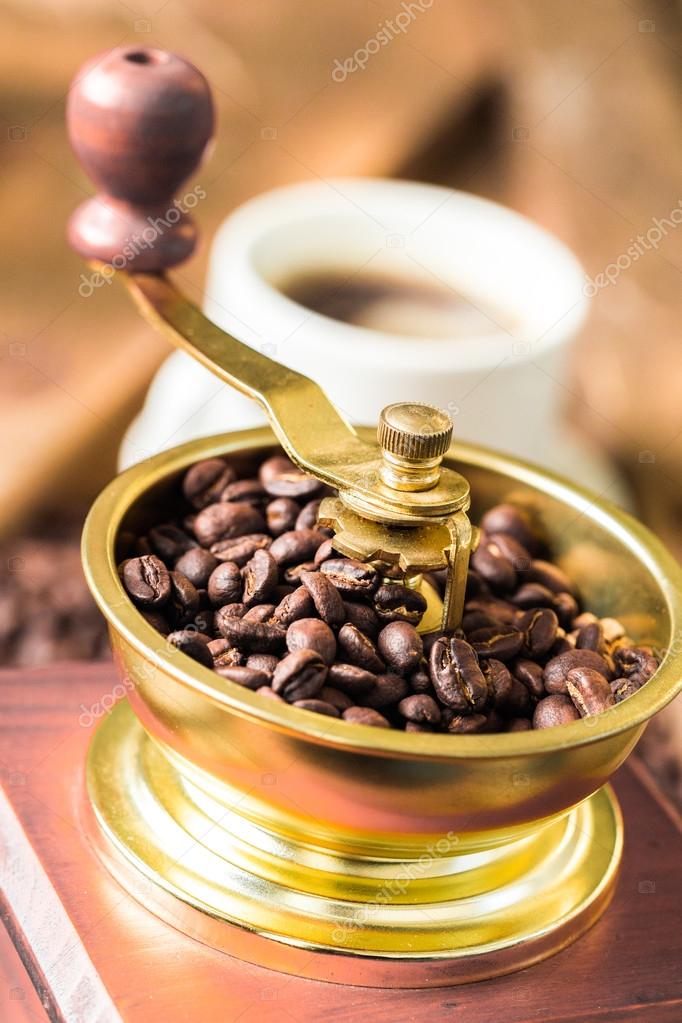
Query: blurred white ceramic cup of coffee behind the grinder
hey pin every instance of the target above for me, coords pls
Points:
(505, 387)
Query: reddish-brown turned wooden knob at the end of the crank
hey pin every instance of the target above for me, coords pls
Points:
(140, 120)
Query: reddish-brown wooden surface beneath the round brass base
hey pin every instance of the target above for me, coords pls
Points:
(97, 955)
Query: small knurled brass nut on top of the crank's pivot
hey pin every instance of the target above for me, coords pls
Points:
(414, 437)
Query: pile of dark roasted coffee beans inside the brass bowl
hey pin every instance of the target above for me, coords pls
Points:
(244, 582)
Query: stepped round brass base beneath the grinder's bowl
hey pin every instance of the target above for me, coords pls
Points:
(204, 869)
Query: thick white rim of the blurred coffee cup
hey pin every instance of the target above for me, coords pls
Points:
(250, 225)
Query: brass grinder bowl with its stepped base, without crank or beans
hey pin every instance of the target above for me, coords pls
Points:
(357, 855)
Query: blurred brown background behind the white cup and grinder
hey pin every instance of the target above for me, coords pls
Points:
(568, 112)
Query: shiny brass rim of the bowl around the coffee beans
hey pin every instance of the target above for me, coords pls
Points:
(101, 532)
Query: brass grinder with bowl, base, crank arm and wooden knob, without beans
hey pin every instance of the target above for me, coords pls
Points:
(310, 846)
